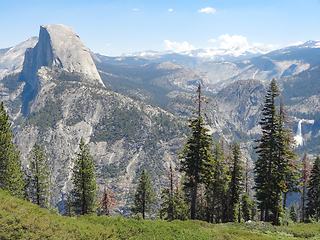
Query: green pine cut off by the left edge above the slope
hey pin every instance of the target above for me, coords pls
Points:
(11, 174)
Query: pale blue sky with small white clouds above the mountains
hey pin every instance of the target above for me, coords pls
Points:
(113, 27)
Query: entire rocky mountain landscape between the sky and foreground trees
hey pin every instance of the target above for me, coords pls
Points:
(132, 111)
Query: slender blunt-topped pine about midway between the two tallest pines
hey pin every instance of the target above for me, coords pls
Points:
(237, 181)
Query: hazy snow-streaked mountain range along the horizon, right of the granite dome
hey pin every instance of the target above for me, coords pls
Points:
(222, 70)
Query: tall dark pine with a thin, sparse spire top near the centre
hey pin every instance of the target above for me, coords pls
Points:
(196, 154)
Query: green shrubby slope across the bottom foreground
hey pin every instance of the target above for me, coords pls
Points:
(22, 220)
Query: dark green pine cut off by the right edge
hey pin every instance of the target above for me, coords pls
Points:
(313, 193)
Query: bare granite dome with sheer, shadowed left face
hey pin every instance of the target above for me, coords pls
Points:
(59, 47)
